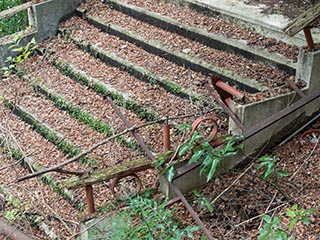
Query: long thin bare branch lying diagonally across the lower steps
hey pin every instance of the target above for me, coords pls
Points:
(83, 153)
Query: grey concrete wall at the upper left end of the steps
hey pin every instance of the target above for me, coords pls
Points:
(47, 15)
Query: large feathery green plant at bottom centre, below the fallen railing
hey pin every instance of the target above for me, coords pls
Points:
(144, 219)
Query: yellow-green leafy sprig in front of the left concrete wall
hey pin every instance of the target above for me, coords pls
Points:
(22, 54)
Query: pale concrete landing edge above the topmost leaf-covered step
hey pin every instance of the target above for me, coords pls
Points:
(259, 24)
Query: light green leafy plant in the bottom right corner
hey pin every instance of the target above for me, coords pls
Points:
(274, 229)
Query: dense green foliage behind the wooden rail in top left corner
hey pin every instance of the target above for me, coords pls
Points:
(15, 23)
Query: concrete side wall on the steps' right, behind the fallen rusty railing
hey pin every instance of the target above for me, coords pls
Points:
(251, 115)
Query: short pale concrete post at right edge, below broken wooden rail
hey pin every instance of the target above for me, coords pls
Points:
(309, 68)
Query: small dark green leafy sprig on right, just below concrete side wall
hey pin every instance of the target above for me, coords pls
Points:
(270, 170)
